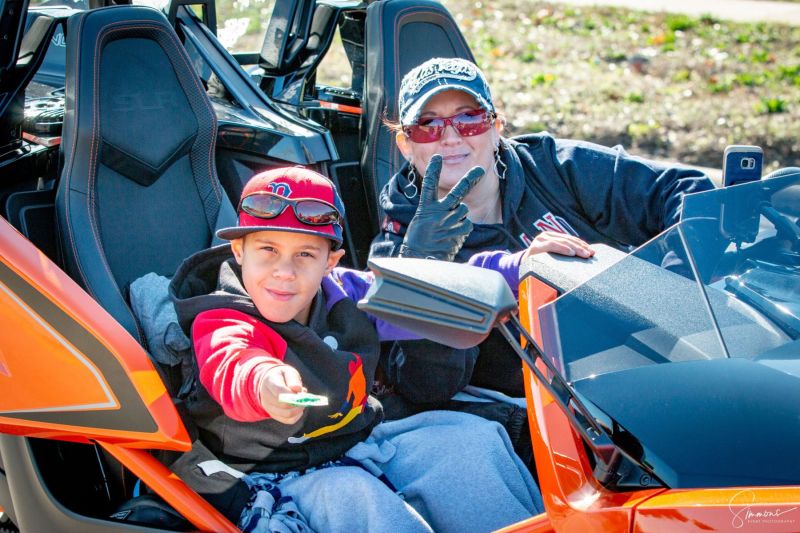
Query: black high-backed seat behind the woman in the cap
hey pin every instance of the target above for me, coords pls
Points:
(401, 34)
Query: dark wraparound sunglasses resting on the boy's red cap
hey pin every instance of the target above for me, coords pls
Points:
(309, 211)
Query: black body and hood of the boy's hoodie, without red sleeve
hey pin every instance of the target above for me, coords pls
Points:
(211, 280)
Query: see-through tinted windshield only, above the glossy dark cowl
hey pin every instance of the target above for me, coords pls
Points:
(722, 283)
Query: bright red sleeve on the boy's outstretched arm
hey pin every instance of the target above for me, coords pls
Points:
(234, 352)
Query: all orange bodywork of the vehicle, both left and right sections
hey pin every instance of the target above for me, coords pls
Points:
(61, 353)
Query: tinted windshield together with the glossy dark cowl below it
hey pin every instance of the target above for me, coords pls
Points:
(693, 337)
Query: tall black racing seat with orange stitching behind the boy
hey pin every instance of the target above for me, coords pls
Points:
(139, 190)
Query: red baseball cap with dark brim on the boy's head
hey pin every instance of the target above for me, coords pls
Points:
(292, 183)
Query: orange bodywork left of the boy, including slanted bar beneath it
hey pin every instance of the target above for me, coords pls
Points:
(61, 354)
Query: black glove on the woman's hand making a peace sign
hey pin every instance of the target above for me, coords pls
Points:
(439, 227)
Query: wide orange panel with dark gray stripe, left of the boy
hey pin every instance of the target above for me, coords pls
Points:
(43, 372)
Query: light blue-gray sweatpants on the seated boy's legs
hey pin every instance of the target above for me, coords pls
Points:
(457, 472)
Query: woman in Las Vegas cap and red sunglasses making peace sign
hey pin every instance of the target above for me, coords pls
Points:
(538, 193)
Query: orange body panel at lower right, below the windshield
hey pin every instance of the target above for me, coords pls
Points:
(575, 502)
